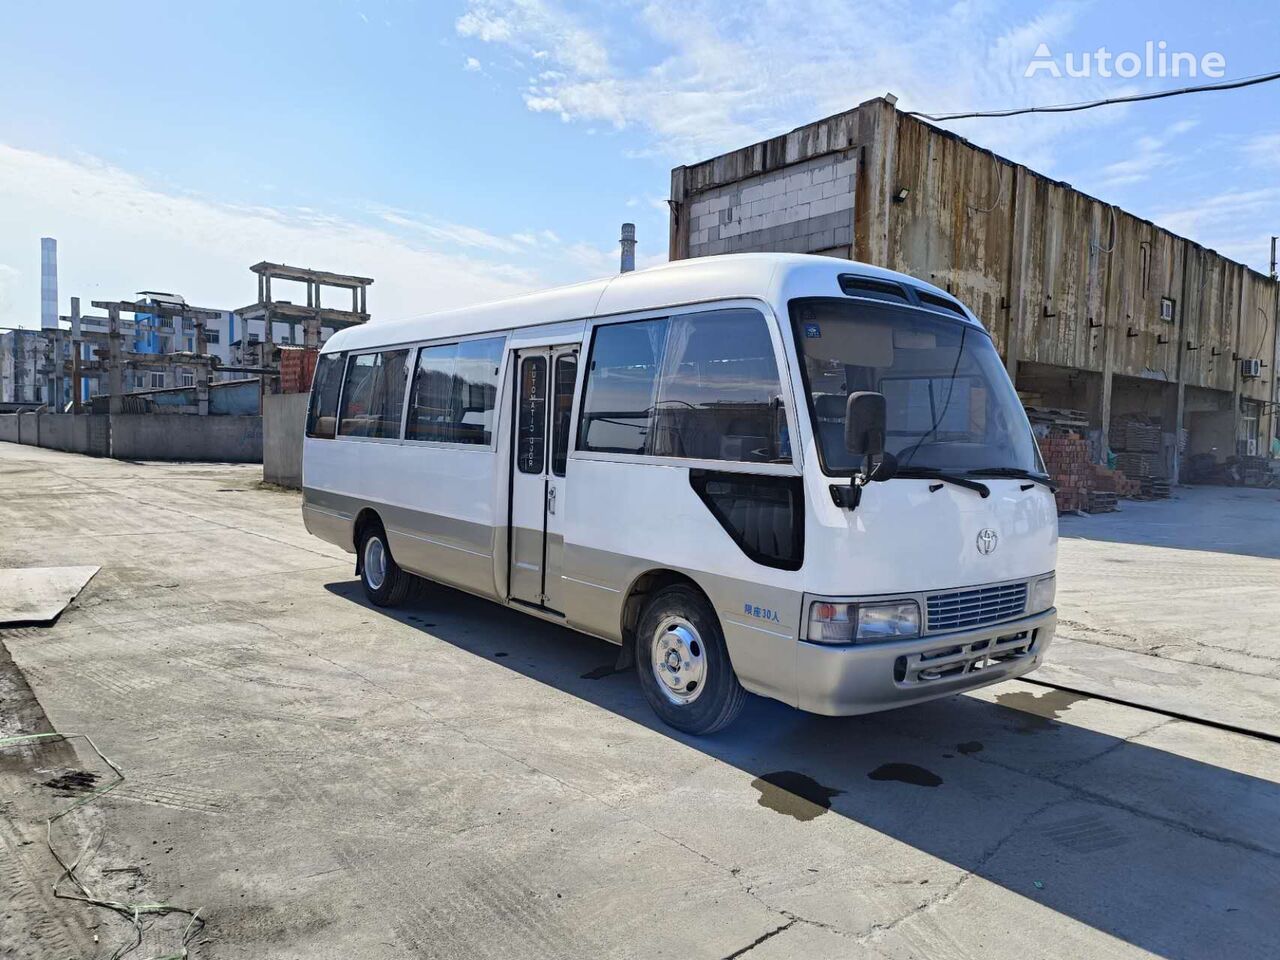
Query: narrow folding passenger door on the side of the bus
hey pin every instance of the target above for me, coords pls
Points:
(545, 395)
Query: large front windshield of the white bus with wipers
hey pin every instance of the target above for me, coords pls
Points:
(949, 403)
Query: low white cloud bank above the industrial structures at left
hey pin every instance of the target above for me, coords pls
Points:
(118, 235)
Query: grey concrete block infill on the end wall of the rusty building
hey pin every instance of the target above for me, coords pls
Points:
(807, 208)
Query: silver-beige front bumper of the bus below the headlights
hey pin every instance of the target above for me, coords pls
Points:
(862, 679)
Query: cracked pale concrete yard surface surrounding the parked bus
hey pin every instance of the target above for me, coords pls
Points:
(456, 780)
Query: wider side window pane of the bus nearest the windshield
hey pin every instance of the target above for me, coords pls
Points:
(719, 396)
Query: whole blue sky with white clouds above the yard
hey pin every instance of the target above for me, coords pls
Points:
(464, 150)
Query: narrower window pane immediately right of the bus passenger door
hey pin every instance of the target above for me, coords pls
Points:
(621, 387)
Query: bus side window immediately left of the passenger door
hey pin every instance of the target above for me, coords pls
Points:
(455, 392)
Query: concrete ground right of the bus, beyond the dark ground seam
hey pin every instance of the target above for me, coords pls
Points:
(1178, 602)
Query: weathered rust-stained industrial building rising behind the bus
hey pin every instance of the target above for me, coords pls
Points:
(1092, 308)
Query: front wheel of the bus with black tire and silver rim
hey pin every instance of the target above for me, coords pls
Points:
(721, 697)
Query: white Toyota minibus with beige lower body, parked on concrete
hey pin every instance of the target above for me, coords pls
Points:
(792, 476)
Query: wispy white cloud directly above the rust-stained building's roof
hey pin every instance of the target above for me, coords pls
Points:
(732, 74)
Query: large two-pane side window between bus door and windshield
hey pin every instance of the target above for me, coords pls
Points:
(717, 396)
